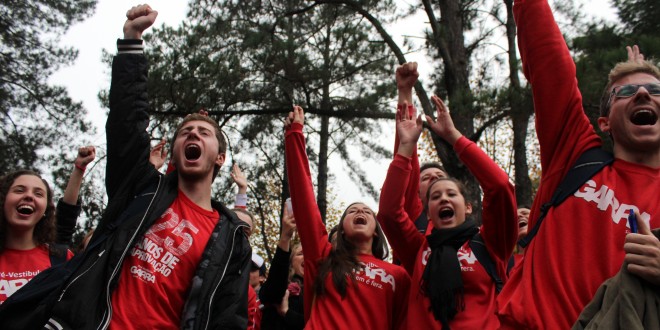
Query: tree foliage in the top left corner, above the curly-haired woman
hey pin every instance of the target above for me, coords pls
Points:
(37, 118)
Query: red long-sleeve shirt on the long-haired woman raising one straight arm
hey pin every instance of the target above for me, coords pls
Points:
(377, 299)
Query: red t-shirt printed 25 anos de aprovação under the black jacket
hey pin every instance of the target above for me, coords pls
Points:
(157, 272)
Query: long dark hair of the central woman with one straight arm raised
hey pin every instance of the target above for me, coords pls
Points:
(342, 260)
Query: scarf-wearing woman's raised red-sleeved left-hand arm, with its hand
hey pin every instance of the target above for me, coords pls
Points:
(395, 221)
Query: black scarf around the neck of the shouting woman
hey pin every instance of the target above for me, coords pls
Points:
(442, 281)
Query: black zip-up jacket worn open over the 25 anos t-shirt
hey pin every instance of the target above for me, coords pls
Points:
(138, 195)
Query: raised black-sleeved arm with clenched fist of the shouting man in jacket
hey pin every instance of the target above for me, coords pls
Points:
(126, 135)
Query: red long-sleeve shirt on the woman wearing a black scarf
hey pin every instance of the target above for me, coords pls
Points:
(499, 232)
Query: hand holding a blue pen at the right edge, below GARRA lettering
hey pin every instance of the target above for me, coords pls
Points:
(643, 253)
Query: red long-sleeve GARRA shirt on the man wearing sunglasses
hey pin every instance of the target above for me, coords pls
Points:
(580, 243)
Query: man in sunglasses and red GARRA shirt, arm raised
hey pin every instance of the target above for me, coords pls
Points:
(585, 239)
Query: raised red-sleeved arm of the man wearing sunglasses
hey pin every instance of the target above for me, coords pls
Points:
(563, 129)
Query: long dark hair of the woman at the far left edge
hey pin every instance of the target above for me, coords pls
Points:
(45, 231)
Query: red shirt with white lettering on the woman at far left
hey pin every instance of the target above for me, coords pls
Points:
(17, 267)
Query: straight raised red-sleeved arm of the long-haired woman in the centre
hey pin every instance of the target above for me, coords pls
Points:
(313, 235)
